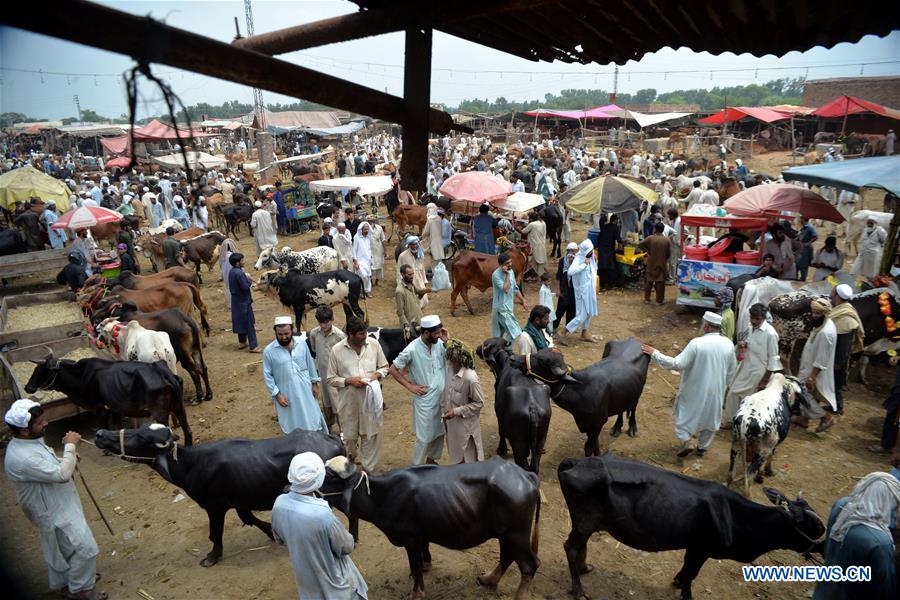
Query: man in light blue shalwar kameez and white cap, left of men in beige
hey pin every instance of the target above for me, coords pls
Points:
(292, 379)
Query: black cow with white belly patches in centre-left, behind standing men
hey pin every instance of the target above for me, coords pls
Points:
(302, 291)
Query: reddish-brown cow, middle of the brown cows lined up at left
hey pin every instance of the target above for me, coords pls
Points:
(172, 294)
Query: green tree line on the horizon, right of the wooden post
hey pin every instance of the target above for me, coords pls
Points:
(778, 91)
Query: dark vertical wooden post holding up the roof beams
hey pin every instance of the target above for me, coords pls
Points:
(417, 96)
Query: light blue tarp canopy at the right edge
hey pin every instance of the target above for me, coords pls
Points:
(881, 172)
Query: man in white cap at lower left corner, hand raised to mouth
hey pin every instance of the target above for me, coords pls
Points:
(46, 492)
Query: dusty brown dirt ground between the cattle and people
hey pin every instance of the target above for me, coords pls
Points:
(160, 537)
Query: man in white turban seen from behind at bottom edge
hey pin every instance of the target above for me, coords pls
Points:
(317, 541)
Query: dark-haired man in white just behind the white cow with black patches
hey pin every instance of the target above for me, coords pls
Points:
(761, 359)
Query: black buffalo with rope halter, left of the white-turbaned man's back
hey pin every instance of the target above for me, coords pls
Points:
(245, 475)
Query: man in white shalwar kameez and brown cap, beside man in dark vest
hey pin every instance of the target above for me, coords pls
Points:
(817, 367)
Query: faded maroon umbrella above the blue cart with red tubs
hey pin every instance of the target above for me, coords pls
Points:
(776, 198)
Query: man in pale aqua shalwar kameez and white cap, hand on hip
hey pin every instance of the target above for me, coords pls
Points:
(424, 357)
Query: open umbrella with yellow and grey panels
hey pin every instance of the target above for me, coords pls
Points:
(607, 194)
